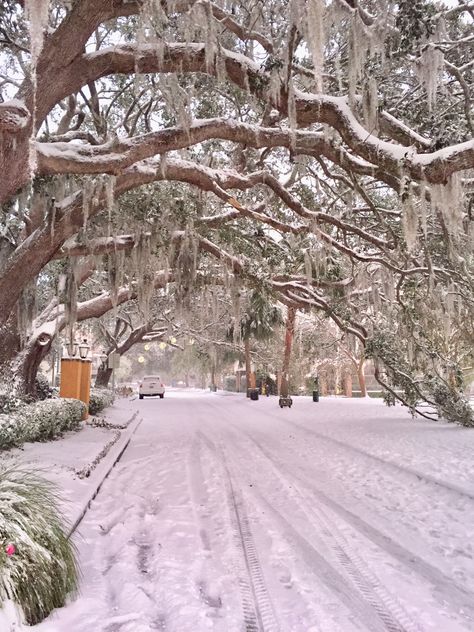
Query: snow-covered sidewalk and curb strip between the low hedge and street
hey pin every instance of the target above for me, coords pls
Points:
(78, 462)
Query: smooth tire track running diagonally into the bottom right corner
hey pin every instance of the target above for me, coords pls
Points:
(451, 592)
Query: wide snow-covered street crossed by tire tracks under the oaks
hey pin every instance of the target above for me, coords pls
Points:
(231, 515)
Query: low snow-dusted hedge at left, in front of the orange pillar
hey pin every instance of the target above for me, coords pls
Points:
(41, 421)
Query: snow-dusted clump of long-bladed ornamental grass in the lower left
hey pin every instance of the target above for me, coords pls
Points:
(38, 568)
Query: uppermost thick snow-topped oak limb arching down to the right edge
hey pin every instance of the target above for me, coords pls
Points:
(310, 108)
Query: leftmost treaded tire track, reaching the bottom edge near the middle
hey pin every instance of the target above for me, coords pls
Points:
(259, 615)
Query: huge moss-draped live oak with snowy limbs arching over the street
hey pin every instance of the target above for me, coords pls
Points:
(189, 136)
